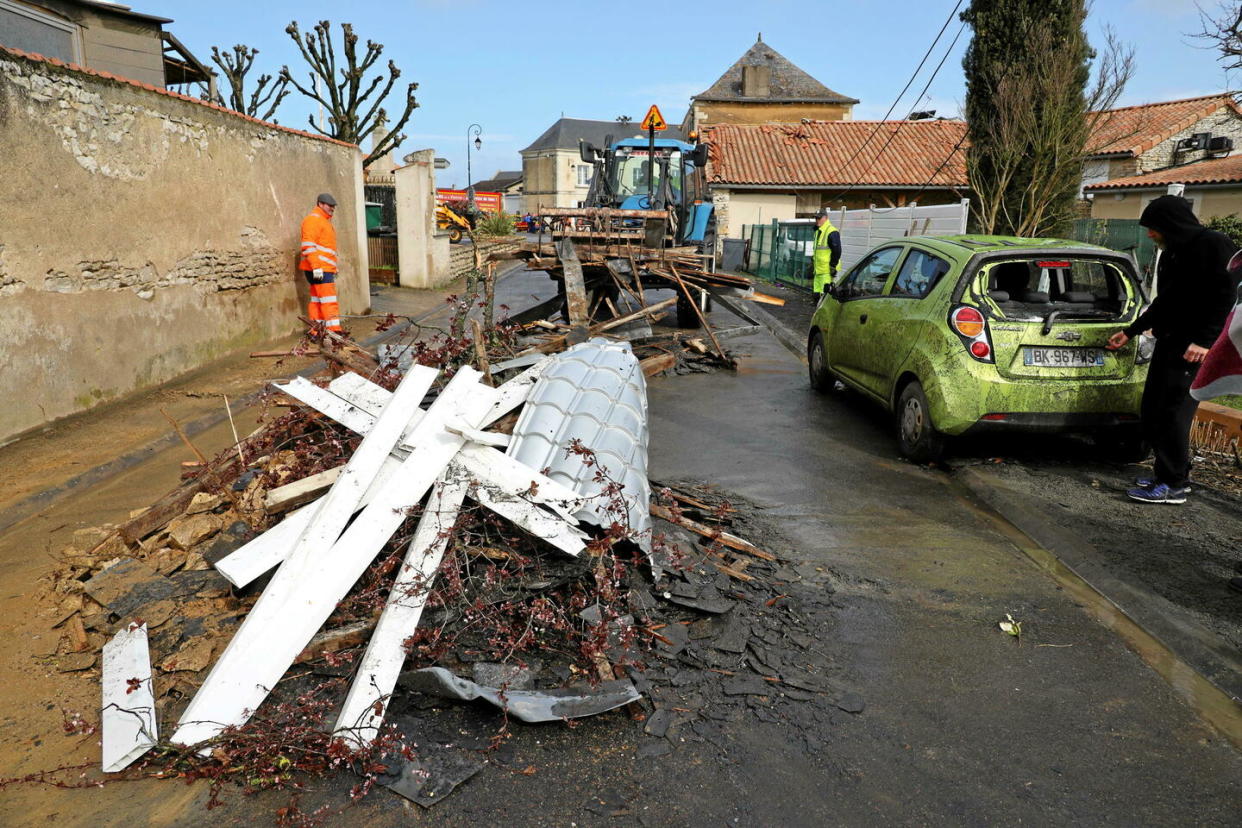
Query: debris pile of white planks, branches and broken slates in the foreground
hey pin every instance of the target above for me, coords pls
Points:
(500, 543)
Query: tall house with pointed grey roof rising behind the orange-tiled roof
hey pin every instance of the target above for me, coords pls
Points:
(764, 86)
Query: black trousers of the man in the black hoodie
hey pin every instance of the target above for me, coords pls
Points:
(1168, 414)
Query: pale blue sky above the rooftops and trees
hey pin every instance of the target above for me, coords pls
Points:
(515, 69)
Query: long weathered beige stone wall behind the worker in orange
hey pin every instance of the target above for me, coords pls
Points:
(143, 234)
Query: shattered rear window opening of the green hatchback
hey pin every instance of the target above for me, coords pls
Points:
(1027, 286)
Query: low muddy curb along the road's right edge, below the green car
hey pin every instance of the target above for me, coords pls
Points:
(1194, 662)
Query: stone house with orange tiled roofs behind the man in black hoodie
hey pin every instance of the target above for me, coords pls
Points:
(1143, 150)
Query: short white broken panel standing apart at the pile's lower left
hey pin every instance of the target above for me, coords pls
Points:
(129, 721)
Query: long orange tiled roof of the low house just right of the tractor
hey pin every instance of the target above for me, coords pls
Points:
(840, 153)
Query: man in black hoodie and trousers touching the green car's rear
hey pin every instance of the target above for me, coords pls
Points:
(1194, 296)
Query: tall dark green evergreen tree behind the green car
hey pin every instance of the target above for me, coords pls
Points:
(1033, 111)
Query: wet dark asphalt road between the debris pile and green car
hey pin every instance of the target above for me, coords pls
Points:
(904, 584)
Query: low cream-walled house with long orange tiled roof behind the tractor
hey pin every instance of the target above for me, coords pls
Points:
(759, 173)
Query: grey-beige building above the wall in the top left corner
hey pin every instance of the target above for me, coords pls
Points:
(105, 38)
